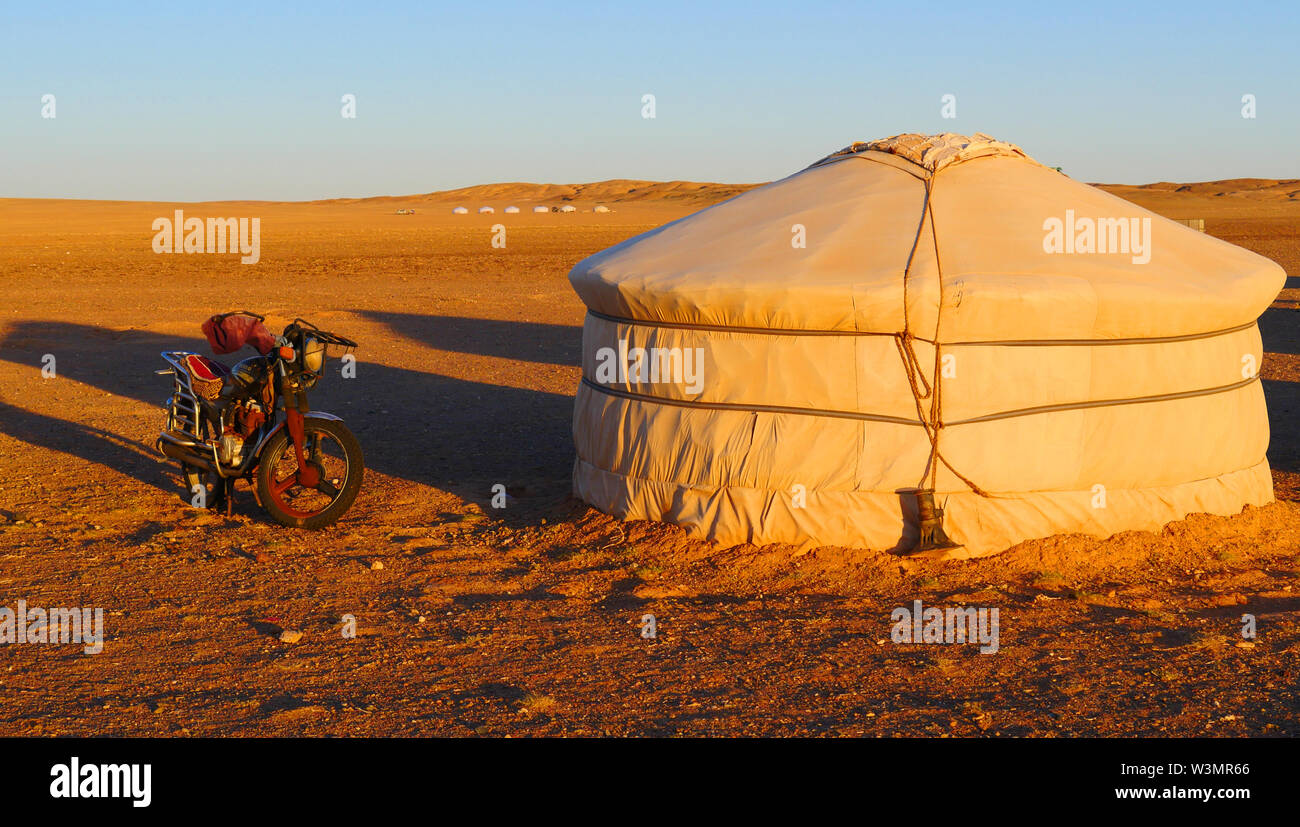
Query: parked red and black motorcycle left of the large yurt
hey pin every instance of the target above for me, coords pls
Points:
(253, 422)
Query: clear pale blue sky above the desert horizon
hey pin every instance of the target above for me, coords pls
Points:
(232, 101)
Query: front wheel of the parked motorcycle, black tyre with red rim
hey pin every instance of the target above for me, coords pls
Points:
(337, 456)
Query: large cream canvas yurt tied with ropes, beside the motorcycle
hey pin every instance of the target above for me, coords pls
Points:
(930, 345)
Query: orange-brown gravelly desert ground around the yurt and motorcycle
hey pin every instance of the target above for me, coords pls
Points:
(526, 621)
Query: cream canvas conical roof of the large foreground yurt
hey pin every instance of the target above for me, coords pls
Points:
(941, 236)
